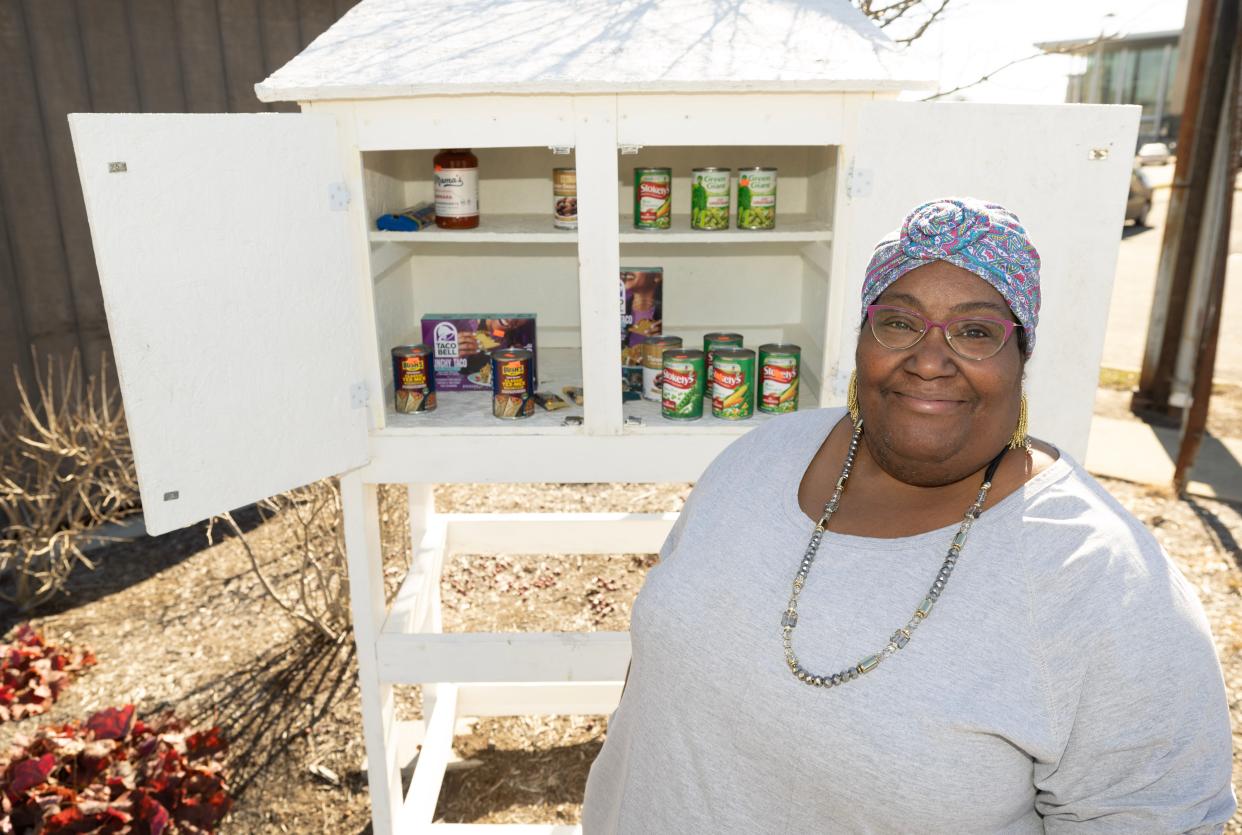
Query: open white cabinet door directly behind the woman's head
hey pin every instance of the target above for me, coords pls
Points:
(1063, 170)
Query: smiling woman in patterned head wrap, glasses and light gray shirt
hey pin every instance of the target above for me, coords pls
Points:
(802, 662)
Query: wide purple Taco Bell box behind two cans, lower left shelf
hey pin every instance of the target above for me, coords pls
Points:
(461, 342)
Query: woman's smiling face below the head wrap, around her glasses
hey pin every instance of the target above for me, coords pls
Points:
(932, 417)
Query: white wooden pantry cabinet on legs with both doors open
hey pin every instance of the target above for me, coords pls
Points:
(253, 306)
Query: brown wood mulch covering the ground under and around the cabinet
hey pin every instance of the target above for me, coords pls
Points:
(178, 624)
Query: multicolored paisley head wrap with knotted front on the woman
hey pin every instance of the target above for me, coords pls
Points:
(979, 237)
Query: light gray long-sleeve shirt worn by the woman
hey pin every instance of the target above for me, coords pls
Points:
(1066, 680)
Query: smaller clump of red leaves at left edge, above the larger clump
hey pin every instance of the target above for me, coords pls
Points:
(34, 673)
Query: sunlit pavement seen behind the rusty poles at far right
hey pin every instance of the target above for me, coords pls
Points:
(1135, 285)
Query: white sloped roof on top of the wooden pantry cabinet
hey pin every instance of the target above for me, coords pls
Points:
(423, 48)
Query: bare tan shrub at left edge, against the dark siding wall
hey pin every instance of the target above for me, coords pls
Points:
(66, 468)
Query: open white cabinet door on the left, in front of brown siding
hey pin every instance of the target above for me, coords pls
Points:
(228, 275)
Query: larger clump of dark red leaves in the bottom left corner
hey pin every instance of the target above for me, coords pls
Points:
(115, 775)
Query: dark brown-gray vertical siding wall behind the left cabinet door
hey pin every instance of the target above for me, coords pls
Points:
(107, 57)
